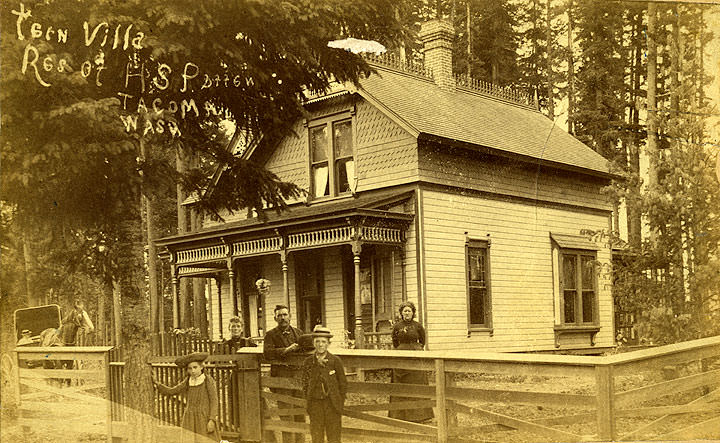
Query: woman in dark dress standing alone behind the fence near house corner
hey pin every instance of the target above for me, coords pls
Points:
(409, 335)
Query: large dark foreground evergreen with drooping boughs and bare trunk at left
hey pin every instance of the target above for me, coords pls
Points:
(69, 160)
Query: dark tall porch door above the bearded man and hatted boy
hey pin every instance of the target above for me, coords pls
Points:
(310, 287)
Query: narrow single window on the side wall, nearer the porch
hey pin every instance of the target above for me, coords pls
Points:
(478, 284)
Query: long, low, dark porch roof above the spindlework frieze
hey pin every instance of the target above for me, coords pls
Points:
(364, 204)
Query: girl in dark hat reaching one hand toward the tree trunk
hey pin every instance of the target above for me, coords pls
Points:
(199, 421)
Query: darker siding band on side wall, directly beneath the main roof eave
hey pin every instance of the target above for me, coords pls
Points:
(506, 177)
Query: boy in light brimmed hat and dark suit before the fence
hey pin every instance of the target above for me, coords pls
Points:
(325, 386)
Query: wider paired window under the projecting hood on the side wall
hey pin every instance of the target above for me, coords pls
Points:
(578, 287)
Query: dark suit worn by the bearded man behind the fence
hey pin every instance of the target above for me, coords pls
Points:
(276, 340)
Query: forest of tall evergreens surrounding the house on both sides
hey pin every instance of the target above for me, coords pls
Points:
(82, 198)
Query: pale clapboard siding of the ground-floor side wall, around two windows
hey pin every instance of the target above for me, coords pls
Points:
(523, 296)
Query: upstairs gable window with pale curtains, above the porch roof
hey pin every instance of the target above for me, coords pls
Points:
(332, 161)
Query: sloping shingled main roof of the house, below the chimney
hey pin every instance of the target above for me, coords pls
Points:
(421, 107)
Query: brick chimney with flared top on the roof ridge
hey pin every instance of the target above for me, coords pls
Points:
(437, 37)
